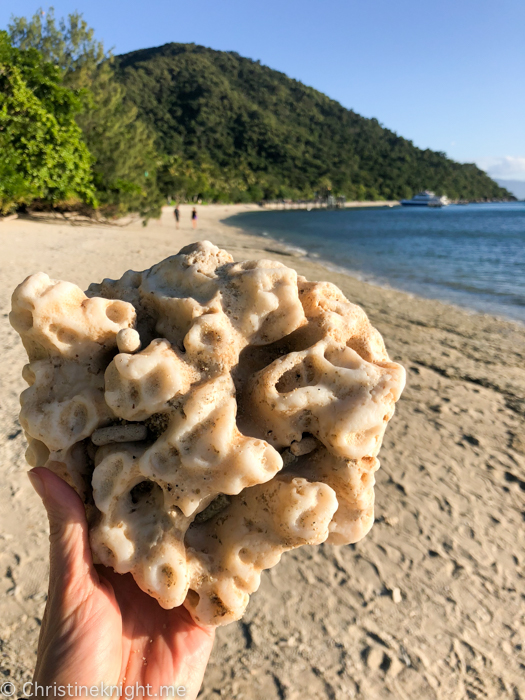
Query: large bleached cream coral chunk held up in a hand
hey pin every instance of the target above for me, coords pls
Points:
(247, 425)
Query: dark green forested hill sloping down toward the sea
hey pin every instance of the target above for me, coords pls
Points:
(230, 127)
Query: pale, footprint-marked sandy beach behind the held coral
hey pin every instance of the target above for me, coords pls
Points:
(430, 605)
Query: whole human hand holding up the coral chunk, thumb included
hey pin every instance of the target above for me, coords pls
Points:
(98, 626)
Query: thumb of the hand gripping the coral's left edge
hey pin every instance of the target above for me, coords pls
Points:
(70, 555)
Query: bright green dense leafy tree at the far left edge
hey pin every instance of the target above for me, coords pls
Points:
(43, 155)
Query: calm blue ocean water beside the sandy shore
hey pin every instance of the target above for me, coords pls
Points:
(472, 256)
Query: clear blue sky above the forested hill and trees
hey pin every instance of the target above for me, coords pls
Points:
(450, 75)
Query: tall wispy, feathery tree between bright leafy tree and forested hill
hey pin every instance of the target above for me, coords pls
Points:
(125, 160)
